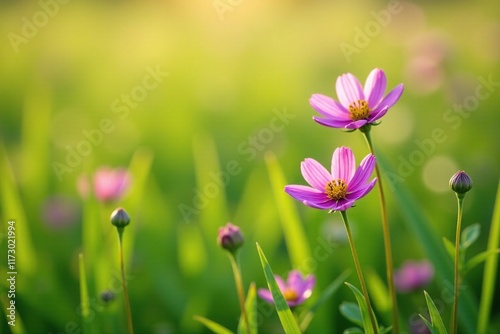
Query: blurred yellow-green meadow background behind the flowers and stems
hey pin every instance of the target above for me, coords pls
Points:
(225, 71)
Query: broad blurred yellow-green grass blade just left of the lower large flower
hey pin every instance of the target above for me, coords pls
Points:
(296, 241)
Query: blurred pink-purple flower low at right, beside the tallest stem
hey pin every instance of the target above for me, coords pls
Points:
(413, 275)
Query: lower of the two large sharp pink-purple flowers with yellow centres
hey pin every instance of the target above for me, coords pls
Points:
(339, 189)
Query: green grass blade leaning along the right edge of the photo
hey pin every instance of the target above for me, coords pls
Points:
(490, 269)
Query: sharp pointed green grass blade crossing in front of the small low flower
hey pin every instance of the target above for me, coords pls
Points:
(286, 317)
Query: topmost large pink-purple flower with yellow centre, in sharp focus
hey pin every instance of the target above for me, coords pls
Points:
(357, 106)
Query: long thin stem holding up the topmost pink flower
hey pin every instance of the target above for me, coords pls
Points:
(387, 241)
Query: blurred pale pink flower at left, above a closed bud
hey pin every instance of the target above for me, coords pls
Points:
(110, 184)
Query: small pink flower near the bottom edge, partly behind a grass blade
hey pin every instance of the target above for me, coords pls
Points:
(295, 290)
